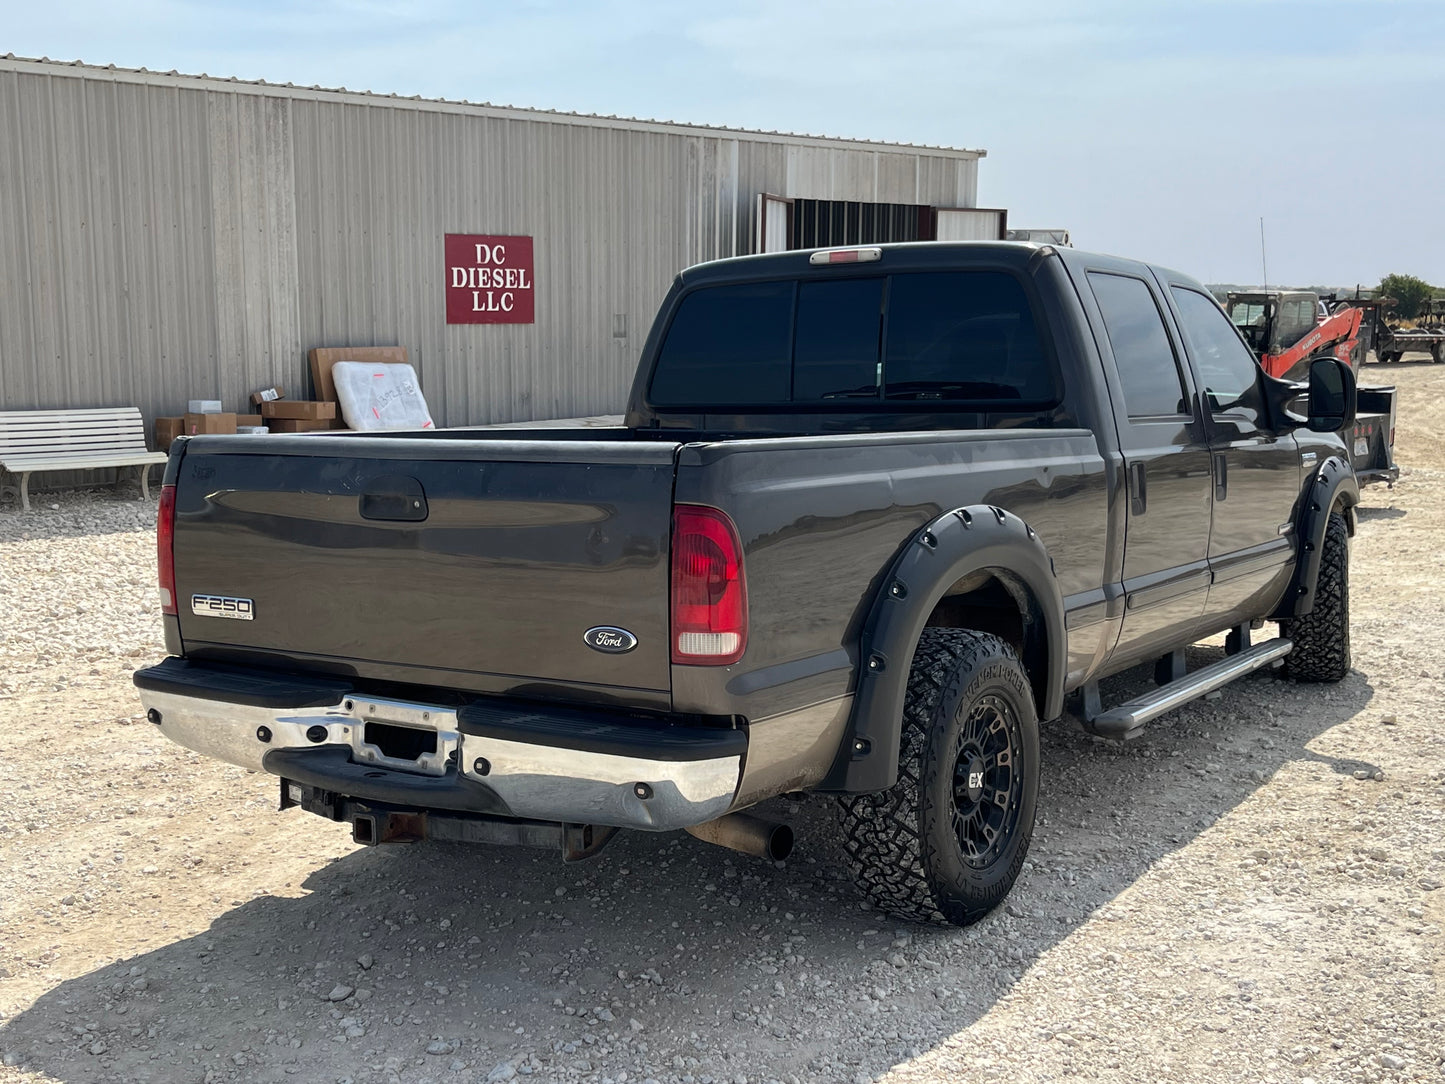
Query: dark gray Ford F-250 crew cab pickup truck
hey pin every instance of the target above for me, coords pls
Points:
(874, 514)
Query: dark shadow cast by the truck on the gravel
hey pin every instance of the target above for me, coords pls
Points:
(486, 956)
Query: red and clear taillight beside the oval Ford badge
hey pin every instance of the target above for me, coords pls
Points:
(709, 589)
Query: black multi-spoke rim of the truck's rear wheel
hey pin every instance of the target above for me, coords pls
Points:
(988, 783)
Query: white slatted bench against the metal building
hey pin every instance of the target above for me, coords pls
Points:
(74, 442)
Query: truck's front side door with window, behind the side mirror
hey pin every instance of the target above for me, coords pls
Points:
(1255, 472)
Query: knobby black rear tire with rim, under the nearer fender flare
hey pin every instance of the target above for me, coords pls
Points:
(908, 843)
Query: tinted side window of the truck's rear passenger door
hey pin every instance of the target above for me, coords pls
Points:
(1147, 364)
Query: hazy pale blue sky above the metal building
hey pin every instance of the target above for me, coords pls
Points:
(1158, 129)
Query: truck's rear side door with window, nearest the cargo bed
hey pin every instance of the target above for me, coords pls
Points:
(1167, 570)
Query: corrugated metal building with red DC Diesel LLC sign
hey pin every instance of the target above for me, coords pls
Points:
(168, 238)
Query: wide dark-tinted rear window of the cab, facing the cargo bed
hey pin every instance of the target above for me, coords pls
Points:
(868, 340)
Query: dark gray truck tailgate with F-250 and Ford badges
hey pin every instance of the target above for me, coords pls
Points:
(466, 563)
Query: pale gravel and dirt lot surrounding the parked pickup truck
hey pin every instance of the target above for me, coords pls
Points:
(1251, 892)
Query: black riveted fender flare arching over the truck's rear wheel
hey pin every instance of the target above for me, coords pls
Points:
(959, 543)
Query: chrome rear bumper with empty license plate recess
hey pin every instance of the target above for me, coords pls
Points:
(564, 767)
